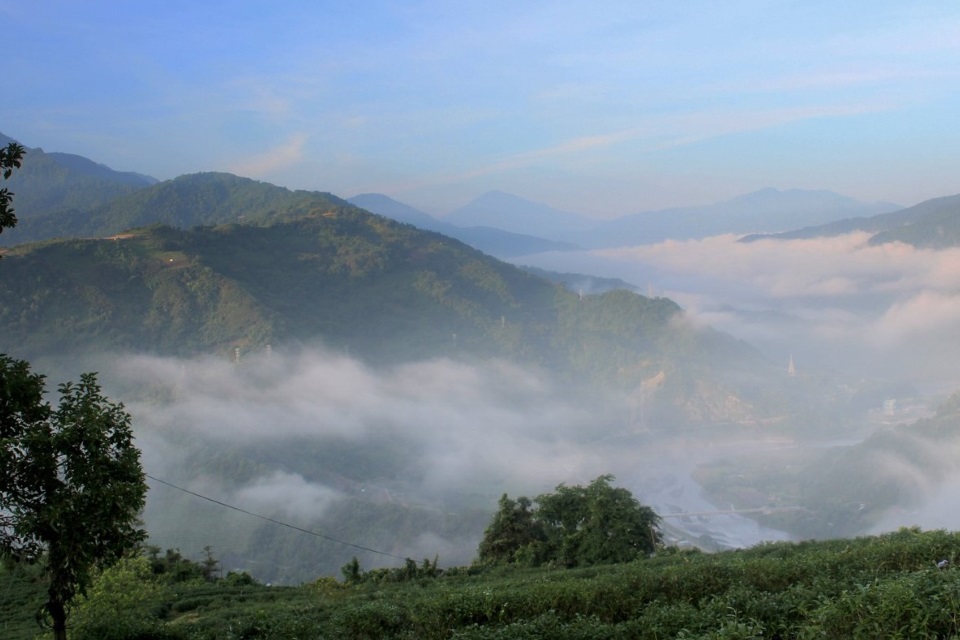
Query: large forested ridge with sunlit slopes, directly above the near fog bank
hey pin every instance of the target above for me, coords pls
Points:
(325, 270)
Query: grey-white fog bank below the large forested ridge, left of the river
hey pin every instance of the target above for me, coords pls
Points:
(444, 429)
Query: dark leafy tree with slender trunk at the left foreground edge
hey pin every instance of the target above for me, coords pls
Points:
(71, 483)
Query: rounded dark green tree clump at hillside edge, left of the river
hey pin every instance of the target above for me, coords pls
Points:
(574, 526)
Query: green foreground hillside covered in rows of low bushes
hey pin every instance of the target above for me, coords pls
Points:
(900, 585)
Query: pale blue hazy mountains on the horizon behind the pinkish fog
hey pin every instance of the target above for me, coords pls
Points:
(796, 213)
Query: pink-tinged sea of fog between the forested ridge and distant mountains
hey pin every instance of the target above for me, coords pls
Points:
(836, 304)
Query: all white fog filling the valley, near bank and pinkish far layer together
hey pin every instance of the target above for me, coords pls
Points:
(283, 434)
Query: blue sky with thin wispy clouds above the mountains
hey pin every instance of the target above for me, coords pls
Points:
(603, 108)
